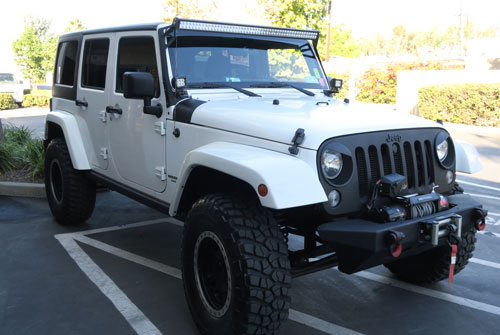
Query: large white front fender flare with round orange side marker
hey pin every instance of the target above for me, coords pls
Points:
(291, 182)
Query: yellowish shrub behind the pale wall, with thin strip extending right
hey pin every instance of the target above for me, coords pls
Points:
(379, 85)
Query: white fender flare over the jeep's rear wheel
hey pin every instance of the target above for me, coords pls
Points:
(72, 136)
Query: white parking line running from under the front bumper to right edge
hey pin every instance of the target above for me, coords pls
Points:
(430, 293)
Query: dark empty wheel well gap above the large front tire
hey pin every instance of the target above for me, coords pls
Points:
(203, 181)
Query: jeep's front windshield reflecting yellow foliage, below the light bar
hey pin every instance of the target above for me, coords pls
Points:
(245, 61)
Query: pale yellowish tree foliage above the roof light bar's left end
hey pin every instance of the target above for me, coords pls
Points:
(194, 9)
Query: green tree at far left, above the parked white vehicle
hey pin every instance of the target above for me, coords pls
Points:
(34, 50)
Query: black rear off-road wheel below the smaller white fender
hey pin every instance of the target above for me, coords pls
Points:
(70, 195)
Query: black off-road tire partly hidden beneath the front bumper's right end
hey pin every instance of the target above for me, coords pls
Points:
(434, 265)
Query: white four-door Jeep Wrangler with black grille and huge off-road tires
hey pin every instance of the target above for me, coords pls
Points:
(234, 129)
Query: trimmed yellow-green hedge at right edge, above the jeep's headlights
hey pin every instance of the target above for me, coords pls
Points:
(473, 104)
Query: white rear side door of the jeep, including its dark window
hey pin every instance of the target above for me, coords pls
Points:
(93, 93)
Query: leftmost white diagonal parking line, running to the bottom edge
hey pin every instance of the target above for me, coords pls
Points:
(137, 320)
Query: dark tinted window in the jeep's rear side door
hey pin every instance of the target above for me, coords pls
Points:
(95, 60)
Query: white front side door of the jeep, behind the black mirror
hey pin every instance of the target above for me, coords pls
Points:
(137, 141)
